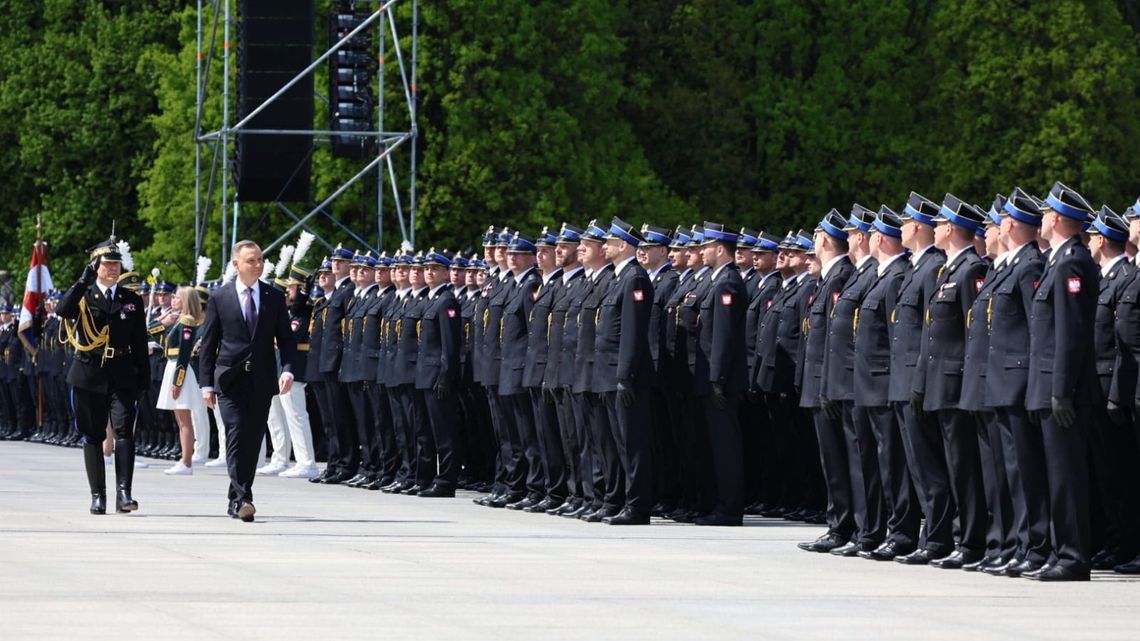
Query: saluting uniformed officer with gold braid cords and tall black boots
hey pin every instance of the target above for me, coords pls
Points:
(107, 326)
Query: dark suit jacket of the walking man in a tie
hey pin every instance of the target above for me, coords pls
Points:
(229, 351)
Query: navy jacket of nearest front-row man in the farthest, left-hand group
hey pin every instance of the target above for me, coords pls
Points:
(439, 330)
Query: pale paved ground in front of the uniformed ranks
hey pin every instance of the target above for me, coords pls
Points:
(332, 563)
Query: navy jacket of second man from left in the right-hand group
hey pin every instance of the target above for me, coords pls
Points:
(840, 359)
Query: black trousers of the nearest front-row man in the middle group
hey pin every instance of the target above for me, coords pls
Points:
(634, 440)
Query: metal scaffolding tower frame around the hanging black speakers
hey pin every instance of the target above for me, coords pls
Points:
(214, 142)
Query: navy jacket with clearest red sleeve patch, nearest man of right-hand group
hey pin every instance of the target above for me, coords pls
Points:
(1063, 359)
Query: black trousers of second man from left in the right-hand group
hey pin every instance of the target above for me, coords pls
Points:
(864, 467)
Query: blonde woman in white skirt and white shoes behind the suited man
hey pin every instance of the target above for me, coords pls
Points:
(180, 390)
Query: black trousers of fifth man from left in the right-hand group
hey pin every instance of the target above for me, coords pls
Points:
(960, 437)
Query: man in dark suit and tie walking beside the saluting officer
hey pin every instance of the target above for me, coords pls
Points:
(239, 358)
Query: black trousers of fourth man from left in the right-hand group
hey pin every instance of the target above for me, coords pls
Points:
(926, 460)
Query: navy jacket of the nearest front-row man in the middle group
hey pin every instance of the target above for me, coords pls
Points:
(622, 337)
